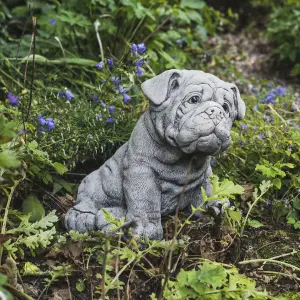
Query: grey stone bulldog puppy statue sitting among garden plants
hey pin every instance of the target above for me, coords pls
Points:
(190, 116)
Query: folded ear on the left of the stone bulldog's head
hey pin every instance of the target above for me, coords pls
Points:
(158, 88)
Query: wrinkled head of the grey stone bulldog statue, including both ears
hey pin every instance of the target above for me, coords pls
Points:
(193, 110)
